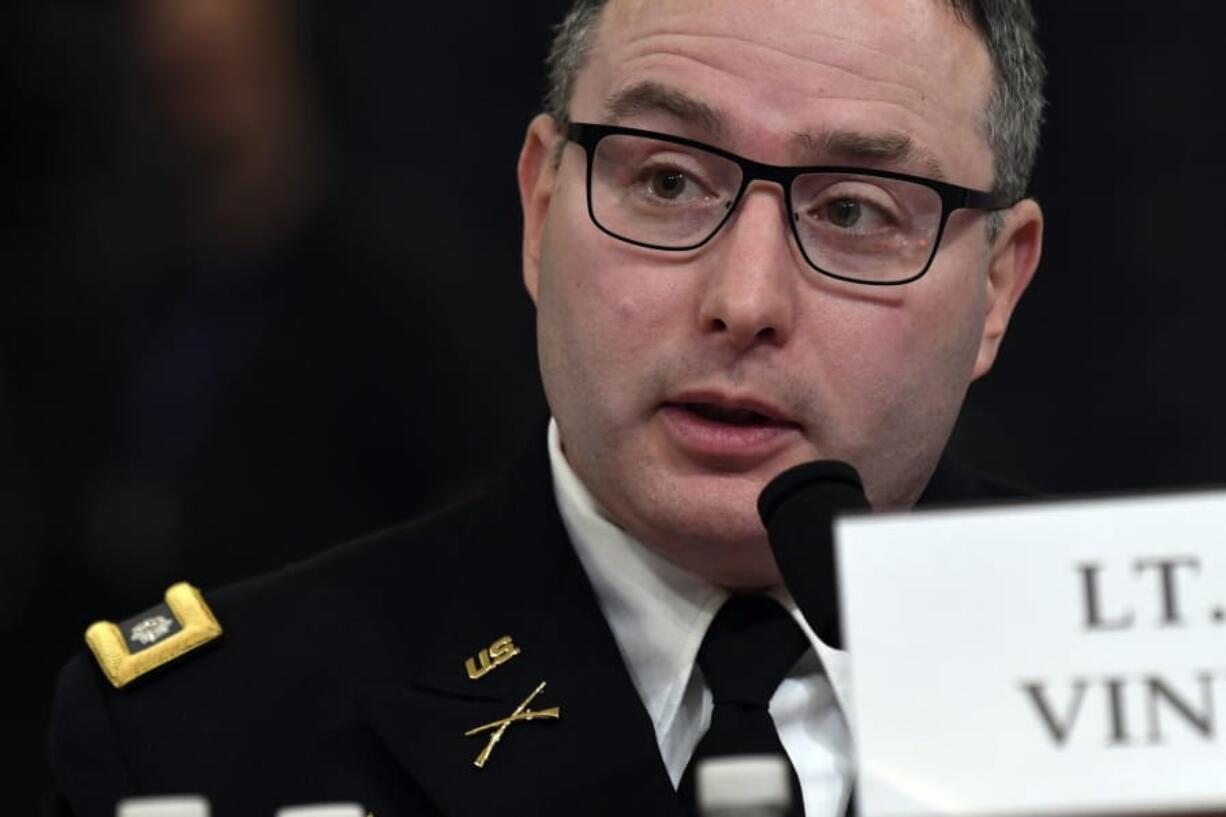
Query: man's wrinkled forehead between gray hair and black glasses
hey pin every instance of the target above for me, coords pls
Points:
(913, 61)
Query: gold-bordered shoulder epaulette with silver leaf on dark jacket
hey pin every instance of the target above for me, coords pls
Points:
(132, 648)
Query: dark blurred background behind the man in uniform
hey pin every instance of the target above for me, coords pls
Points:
(262, 288)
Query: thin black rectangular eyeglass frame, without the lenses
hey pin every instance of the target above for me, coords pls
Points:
(953, 197)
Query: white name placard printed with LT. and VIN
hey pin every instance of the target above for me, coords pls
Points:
(1039, 659)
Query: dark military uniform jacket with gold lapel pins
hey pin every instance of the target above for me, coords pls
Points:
(349, 678)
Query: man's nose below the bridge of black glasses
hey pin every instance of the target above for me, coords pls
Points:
(751, 294)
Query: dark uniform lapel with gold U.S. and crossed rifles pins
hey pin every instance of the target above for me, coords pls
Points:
(524, 582)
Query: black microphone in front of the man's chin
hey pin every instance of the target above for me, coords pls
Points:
(798, 508)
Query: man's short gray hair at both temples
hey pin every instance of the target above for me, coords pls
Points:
(1012, 120)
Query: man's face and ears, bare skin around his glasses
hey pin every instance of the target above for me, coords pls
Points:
(653, 360)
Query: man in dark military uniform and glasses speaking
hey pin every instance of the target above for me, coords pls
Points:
(757, 235)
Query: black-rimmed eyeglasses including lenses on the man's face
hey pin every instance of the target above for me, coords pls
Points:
(669, 193)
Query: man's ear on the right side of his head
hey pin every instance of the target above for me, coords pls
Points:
(1013, 261)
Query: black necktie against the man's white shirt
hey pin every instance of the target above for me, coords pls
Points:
(746, 654)
